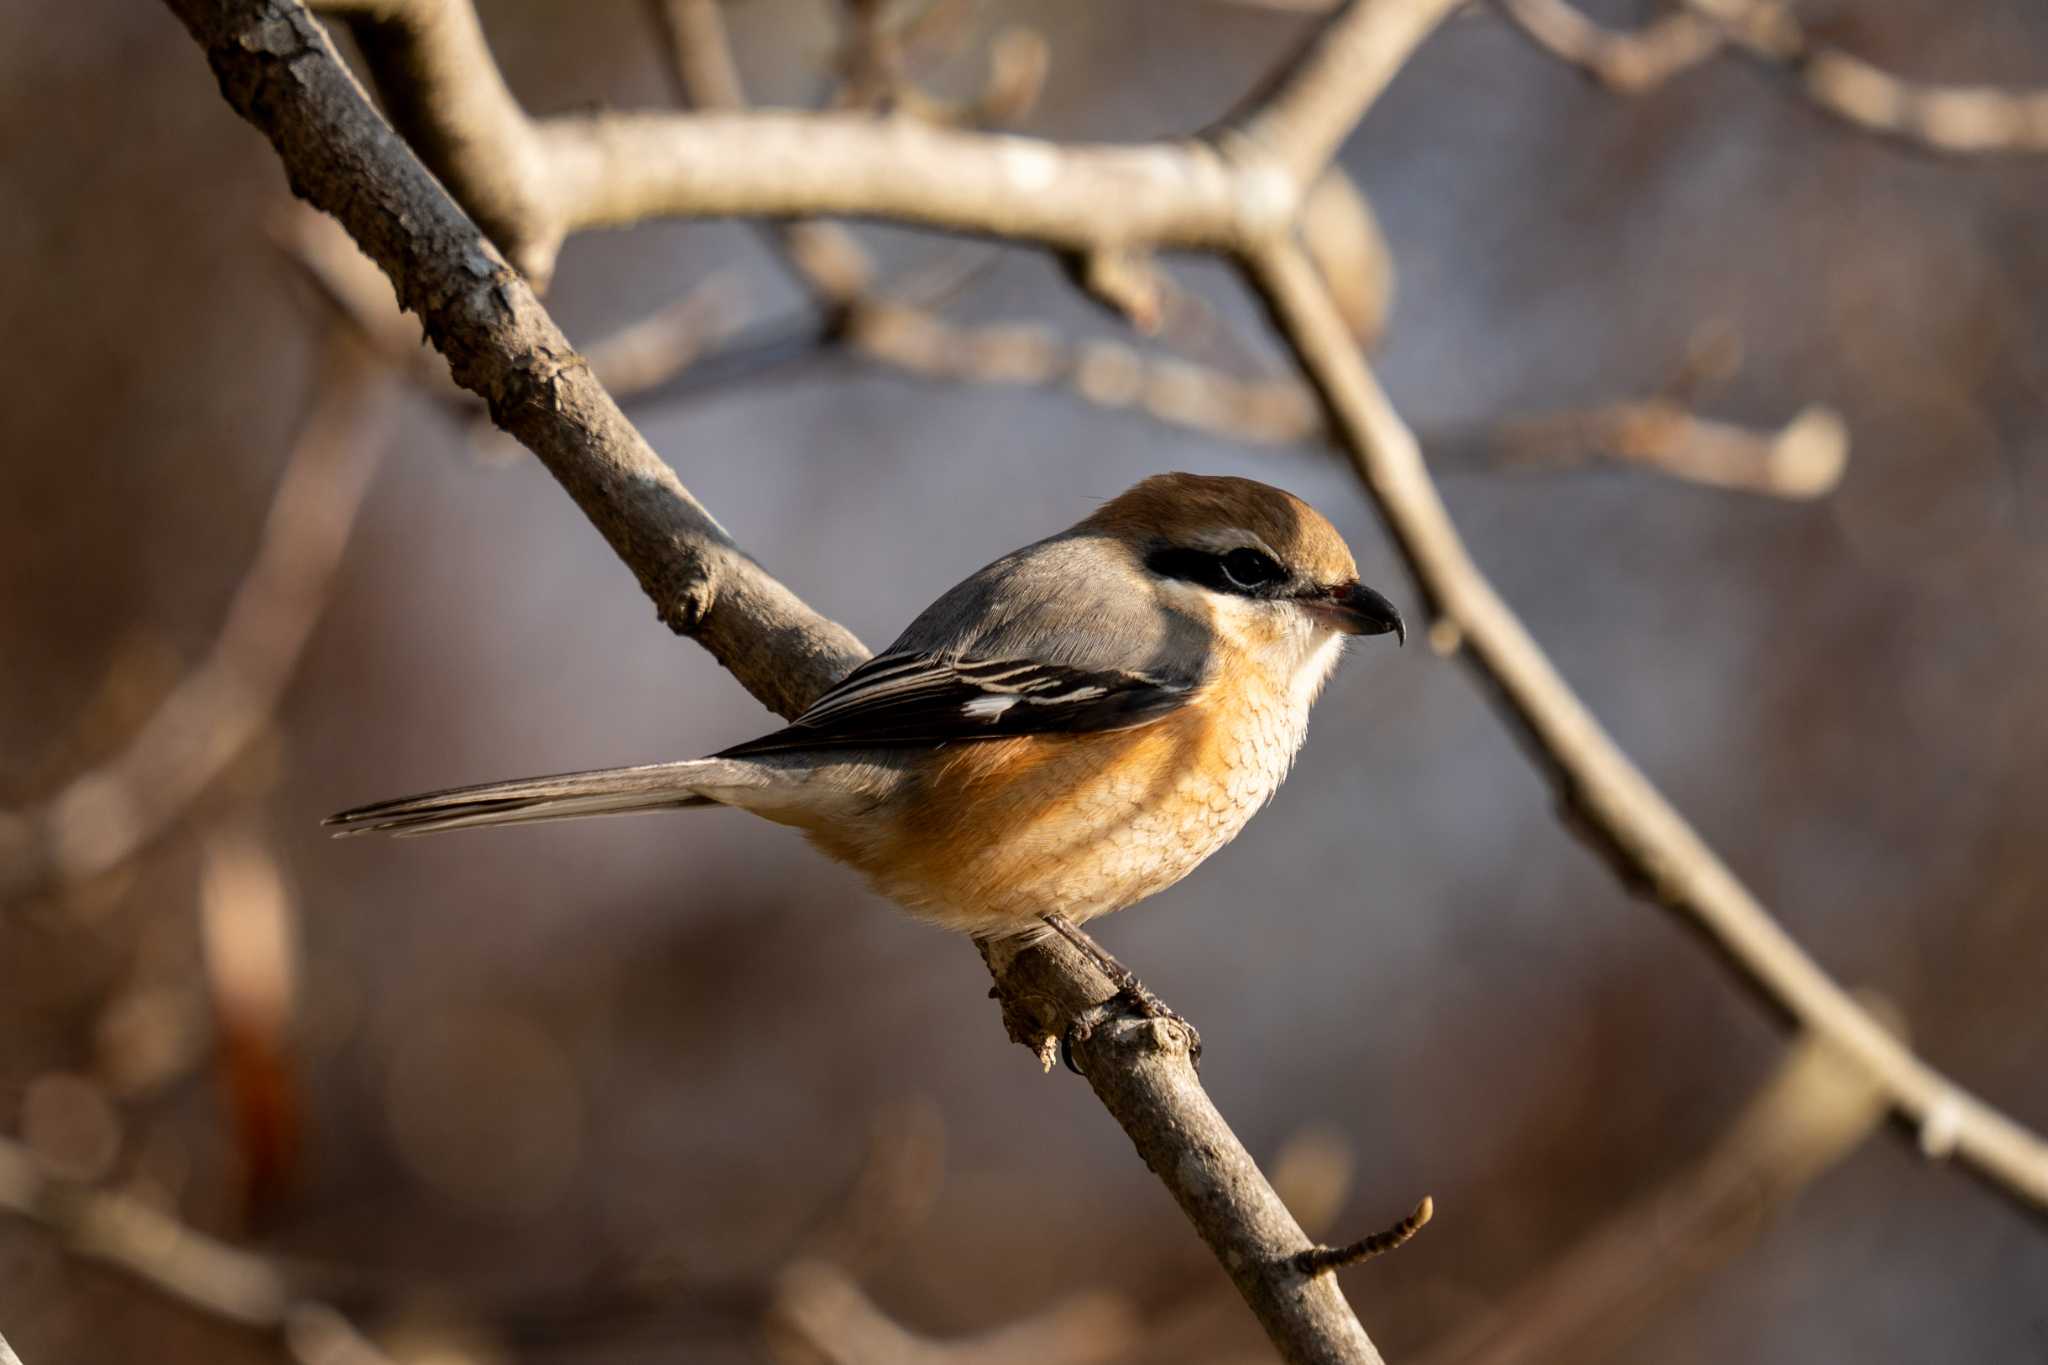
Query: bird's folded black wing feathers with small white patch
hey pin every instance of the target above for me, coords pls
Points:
(933, 701)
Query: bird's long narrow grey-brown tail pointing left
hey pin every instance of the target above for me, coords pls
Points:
(564, 797)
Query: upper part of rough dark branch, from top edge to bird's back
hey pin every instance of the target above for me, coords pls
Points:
(503, 345)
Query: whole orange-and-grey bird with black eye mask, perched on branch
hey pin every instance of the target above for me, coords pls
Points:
(1064, 734)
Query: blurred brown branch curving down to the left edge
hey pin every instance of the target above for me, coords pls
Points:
(114, 811)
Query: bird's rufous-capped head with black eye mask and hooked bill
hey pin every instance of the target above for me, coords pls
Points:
(1261, 566)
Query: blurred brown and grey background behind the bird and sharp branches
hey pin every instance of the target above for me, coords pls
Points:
(679, 1090)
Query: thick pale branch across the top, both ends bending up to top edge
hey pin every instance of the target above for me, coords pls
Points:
(607, 171)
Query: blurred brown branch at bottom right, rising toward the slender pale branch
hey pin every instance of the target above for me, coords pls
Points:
(1596, 1294)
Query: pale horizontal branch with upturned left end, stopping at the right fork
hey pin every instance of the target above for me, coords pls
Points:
(552, 177)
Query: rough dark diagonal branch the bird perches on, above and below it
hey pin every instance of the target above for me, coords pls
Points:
(280, 71)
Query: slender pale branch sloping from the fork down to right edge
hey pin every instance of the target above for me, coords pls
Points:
(1603, 793)
